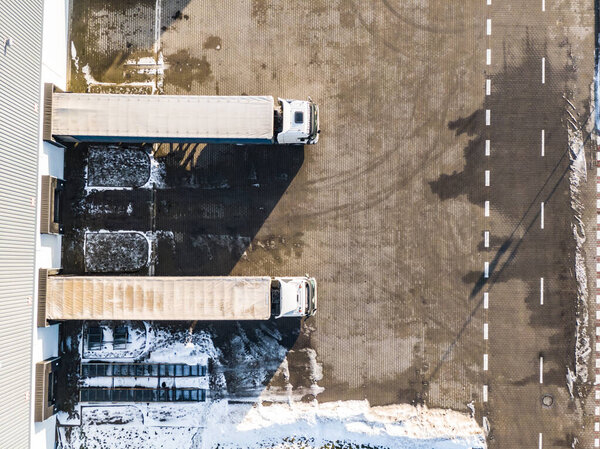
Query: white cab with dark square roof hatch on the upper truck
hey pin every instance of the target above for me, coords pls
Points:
(300, 122)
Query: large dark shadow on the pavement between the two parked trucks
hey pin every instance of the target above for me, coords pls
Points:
(201, 209)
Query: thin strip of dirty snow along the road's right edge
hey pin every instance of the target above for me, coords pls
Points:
(577, 176)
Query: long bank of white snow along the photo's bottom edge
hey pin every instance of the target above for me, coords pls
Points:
(349, 424)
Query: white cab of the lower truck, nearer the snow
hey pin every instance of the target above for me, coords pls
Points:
(297, 296)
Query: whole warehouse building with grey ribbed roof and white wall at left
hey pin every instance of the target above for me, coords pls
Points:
(33, 50)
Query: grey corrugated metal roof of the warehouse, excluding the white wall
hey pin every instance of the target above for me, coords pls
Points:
(20, 68)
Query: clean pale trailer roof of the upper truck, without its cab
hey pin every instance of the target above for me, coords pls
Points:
(162, 117)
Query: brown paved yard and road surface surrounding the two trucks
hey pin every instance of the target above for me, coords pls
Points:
(387, 210)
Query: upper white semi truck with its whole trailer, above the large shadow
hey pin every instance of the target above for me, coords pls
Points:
(82, 117)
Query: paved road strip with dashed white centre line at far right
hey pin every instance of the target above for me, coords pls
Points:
(539, 88)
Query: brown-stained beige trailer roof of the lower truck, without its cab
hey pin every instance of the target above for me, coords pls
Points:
(157, 298)
